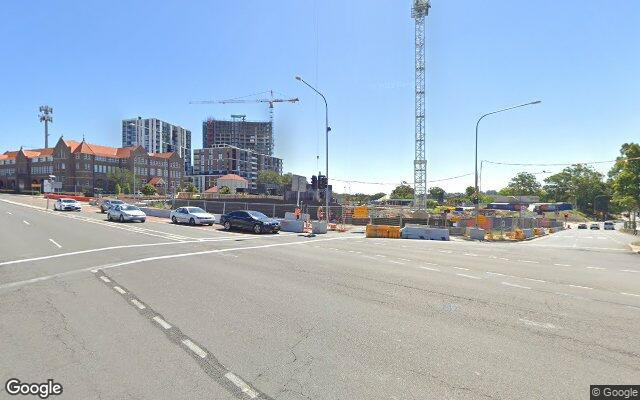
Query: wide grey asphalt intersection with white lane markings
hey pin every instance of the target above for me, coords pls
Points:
(159, 311)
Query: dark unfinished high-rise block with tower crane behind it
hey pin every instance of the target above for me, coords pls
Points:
(256, 136)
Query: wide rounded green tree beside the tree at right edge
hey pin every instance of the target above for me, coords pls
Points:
(577, 184)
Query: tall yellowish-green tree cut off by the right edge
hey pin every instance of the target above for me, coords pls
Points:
(624, 177)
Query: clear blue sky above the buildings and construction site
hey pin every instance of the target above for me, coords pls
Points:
(98, 62)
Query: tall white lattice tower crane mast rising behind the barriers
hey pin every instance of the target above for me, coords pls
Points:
(419, 11)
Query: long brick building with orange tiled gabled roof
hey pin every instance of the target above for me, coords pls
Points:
(84, 167)
